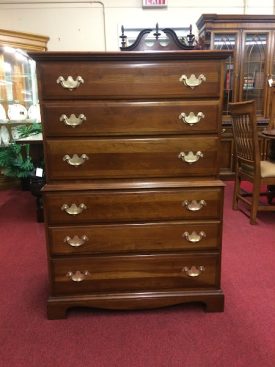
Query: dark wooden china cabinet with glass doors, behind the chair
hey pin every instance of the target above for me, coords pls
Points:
(248, 73)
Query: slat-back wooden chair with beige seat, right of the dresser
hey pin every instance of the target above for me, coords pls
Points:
(249, 166)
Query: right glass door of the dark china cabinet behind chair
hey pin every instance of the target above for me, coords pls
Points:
(253, 83)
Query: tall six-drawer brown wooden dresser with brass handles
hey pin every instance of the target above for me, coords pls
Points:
(133, 205)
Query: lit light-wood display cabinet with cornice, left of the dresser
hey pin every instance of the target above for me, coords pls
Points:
(19, 105)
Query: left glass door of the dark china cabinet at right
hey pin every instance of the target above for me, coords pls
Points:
(228, 41)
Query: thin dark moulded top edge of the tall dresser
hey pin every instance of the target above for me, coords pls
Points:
(131, 55)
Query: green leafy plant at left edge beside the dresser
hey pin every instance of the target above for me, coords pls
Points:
(15, 160)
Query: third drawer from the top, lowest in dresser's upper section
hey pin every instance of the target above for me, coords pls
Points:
(129, 158)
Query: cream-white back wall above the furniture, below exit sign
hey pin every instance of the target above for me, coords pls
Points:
(94, 25)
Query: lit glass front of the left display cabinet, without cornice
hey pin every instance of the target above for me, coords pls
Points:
(19, 103)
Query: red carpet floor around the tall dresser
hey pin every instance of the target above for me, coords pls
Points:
(242, 336)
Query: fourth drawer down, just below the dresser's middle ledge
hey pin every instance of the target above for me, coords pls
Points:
(133, 206)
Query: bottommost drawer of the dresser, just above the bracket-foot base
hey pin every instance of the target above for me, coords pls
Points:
(134, 273)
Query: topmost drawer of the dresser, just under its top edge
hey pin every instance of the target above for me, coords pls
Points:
(130, 79)
